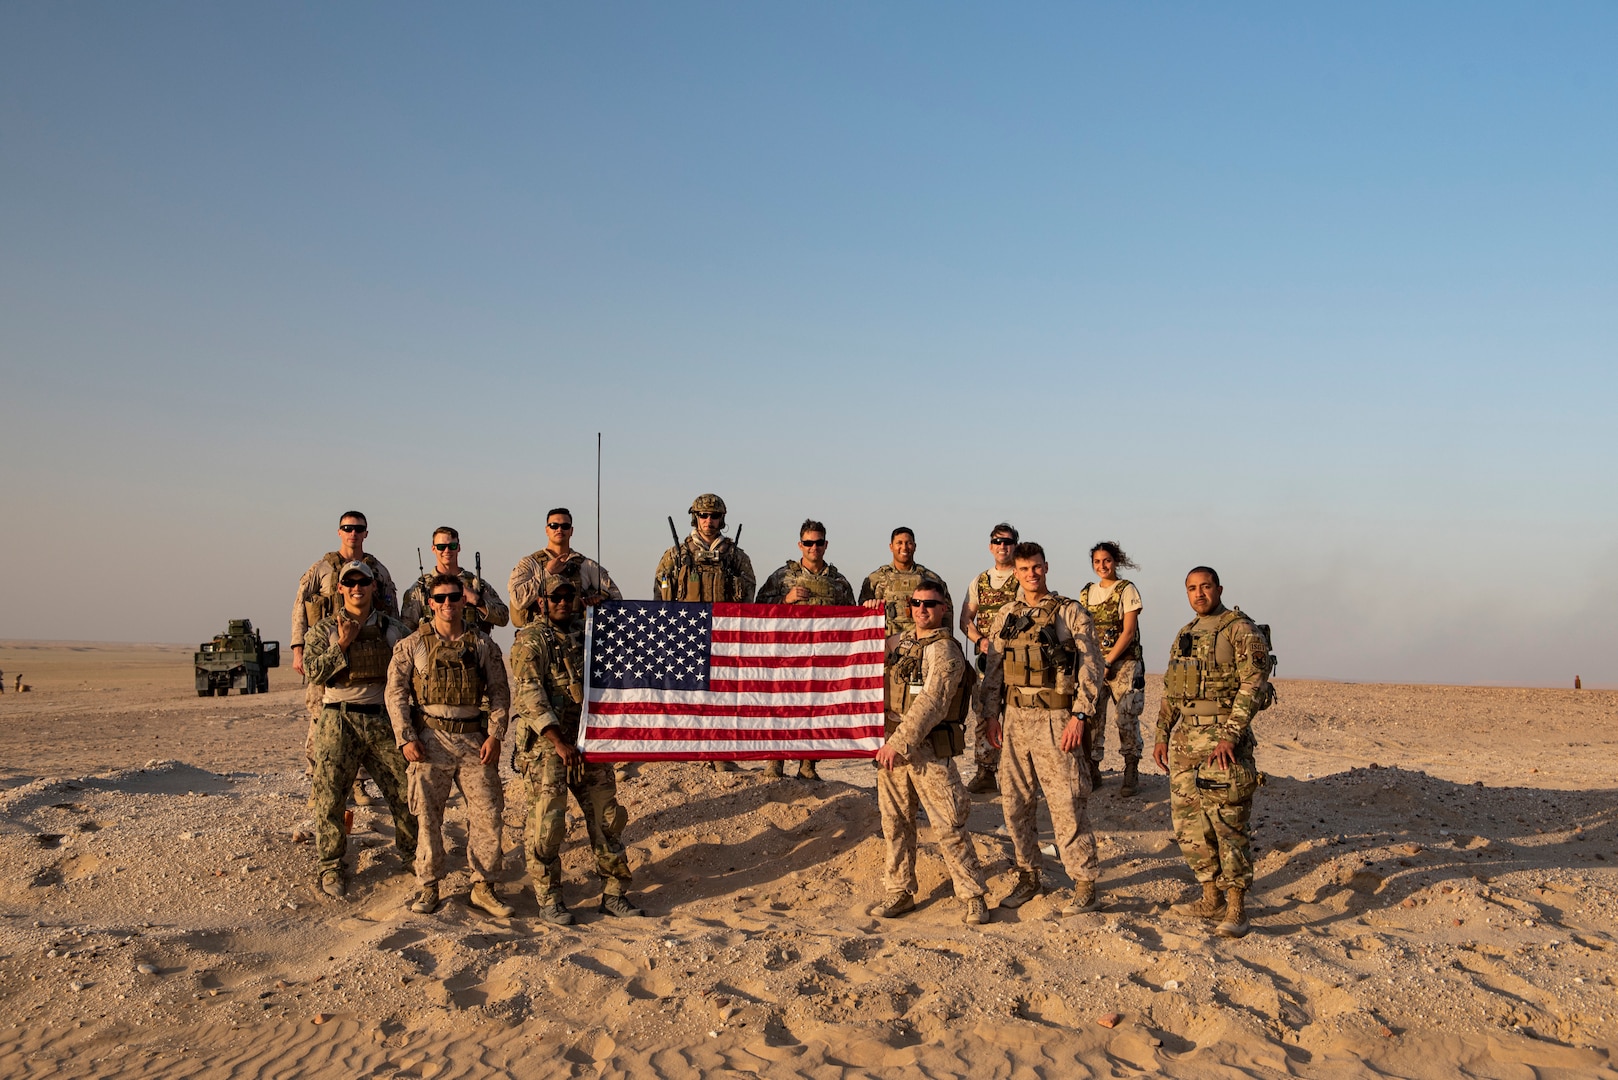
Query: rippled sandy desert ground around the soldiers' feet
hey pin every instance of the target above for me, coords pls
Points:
(1434, 899)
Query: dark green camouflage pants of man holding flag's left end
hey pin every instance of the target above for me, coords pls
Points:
(596, 793)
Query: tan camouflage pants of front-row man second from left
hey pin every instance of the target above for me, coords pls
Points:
(454, 759)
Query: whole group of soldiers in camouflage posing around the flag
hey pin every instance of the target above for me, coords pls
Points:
(423, 705)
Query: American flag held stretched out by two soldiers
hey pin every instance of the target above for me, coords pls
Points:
(701, 682)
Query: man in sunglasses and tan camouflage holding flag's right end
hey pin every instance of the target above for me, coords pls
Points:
(928, 697)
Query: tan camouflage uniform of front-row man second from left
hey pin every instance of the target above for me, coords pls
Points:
(436, 692)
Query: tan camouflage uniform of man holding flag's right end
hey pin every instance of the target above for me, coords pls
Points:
(925, 687)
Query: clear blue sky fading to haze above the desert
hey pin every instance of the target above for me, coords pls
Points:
(1323, 297)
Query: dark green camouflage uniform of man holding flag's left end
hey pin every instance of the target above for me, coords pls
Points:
(548, 666)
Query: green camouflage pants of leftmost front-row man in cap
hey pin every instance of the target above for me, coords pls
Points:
(342, 742)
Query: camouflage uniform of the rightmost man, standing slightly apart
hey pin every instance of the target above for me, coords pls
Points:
(1218, 679)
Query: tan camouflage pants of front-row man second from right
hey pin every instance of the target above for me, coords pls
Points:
(1031, 759)
